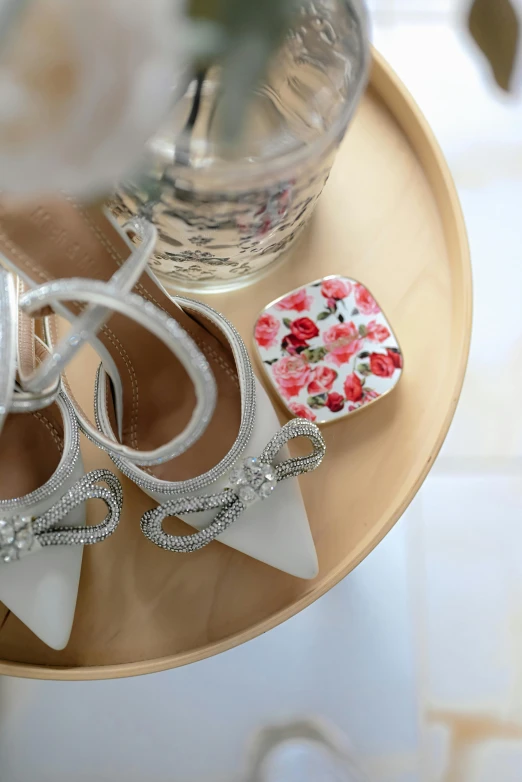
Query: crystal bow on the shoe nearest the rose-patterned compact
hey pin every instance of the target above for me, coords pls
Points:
(252, 480)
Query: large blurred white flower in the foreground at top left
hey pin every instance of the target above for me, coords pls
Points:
(83, 85)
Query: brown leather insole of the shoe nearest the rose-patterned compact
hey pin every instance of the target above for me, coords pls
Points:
(53, 239)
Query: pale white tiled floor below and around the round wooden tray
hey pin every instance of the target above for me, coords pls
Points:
(417, 656)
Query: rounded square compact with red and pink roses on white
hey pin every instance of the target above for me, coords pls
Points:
(339, 356)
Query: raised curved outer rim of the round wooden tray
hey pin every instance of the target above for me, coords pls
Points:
(389, 87)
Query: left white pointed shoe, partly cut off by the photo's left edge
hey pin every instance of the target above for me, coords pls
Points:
(43, 490)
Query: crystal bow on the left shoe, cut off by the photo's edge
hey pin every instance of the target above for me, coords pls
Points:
(21, 535)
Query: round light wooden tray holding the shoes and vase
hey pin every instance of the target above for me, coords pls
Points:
(390, 217)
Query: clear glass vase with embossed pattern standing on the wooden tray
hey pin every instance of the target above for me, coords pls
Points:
(223, 220)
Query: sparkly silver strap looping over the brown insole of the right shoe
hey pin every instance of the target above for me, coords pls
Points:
(103, 298)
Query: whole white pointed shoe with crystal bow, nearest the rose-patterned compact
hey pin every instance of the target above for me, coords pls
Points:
(177, 405)
